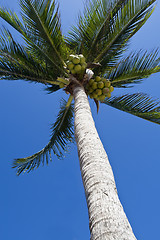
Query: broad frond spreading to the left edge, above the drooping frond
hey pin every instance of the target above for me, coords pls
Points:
(16, 63)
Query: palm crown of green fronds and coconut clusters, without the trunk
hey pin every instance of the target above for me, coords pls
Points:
(96, 45)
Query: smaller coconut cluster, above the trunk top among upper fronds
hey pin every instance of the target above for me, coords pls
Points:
(76, 64)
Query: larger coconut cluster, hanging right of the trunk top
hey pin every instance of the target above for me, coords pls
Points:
(99, 88)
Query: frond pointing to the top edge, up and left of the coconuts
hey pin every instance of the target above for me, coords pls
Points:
(42, 21)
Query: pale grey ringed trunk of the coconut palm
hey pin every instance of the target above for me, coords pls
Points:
(107, 220)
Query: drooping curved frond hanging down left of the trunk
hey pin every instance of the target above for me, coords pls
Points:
(62, 133)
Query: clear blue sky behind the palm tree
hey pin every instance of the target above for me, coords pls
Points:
(49, 203)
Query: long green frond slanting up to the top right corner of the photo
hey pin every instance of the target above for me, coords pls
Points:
(123, 25)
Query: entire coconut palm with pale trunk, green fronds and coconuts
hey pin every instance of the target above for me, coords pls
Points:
(81, 63)
